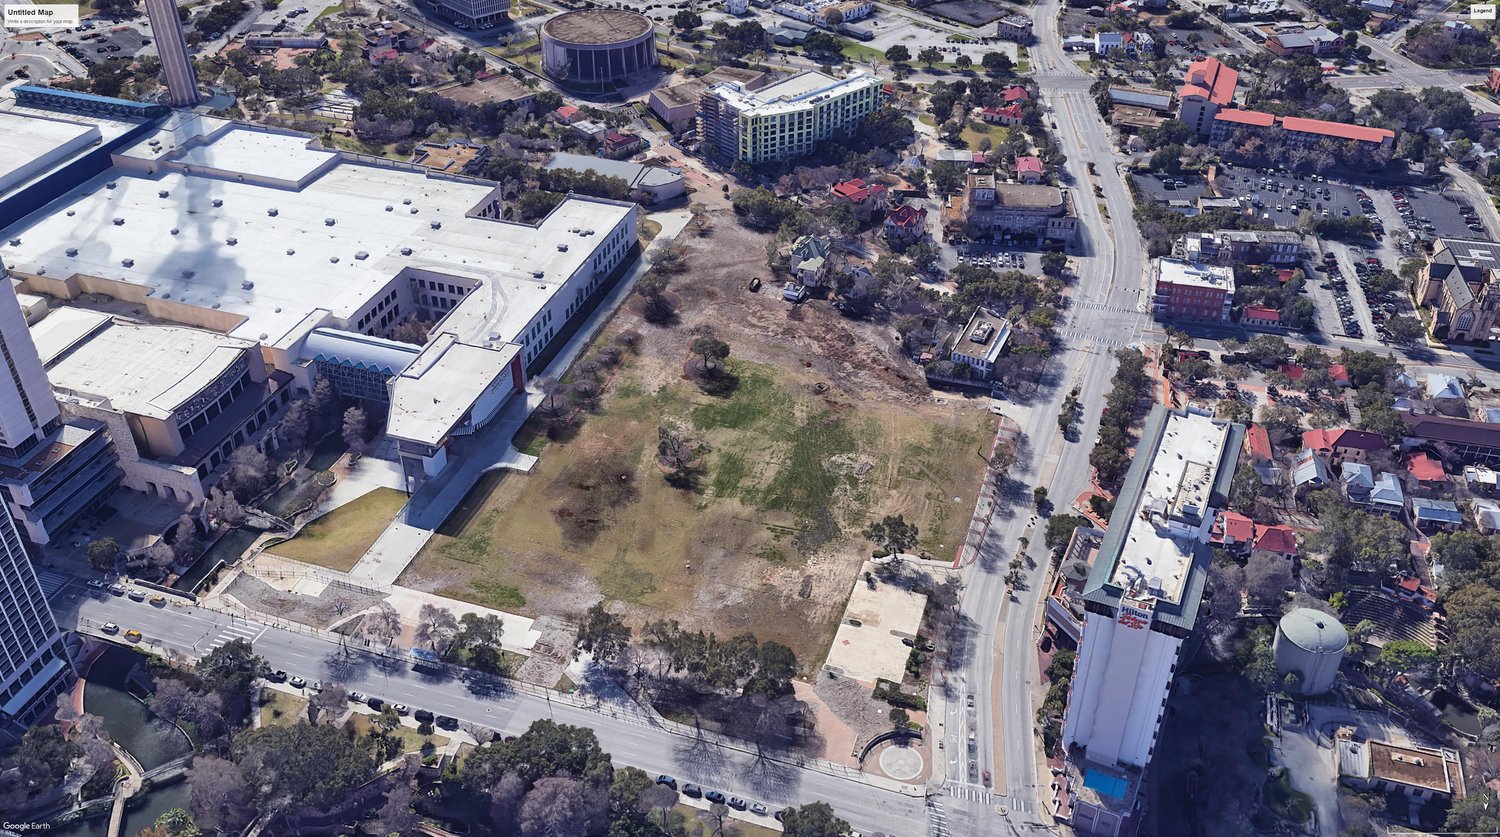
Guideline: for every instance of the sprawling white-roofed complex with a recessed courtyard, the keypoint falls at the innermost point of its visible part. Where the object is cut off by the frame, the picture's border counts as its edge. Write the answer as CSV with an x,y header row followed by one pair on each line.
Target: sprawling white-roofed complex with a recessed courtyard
x,y
248,262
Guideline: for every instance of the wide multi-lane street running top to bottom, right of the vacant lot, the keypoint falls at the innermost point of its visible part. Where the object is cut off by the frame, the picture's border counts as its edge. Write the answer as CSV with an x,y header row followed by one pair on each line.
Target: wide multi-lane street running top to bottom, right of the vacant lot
x,y
1106,314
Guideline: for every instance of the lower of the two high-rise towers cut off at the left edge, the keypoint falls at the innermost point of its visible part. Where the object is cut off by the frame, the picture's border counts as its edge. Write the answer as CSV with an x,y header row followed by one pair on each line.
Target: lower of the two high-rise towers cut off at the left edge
x,y
34,661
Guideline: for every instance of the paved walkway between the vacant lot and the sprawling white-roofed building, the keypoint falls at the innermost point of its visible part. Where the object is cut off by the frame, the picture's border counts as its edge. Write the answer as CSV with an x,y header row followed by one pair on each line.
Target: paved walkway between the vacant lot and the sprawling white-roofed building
x,y
490,449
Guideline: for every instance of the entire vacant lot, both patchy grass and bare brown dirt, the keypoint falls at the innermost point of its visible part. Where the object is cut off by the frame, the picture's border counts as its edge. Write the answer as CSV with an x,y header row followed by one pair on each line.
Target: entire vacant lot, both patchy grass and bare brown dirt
x,y
827,430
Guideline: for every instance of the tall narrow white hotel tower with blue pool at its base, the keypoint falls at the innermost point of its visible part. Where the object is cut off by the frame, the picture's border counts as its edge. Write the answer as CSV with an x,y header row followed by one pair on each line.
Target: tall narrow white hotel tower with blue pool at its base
x,y
1142,601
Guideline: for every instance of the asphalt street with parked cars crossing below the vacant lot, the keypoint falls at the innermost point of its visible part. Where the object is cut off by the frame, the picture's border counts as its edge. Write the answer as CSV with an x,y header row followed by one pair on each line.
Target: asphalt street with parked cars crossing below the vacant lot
x,y
622,728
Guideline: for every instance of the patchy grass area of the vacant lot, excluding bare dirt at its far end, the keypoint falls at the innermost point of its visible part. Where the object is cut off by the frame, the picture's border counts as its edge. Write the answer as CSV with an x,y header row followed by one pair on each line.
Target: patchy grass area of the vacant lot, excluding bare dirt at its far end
x,y
772,529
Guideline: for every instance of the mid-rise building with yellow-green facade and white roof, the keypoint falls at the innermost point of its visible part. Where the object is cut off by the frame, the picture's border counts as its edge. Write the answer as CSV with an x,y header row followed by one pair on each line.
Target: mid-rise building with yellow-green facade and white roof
x,y
784,121
